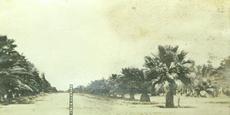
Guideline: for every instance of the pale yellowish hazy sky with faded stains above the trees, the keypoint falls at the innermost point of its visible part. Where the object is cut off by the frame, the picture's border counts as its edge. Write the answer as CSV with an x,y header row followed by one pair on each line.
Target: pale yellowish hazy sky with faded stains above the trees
x,y
76,41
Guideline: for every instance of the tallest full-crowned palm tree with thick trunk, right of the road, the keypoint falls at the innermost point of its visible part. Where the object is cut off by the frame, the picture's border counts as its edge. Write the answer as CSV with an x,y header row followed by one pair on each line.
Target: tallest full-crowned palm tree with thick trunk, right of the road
x,y
167,67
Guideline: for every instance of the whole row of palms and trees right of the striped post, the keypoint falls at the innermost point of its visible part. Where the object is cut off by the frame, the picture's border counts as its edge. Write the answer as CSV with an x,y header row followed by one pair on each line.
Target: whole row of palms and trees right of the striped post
x,y
167,73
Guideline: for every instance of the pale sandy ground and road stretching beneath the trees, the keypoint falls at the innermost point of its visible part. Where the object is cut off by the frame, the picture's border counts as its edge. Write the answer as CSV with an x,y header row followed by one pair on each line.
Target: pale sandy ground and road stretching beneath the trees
x,y
57,104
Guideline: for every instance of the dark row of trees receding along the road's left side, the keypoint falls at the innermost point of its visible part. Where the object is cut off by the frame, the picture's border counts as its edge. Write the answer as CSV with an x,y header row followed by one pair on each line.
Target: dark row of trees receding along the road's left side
x,y
18,76
